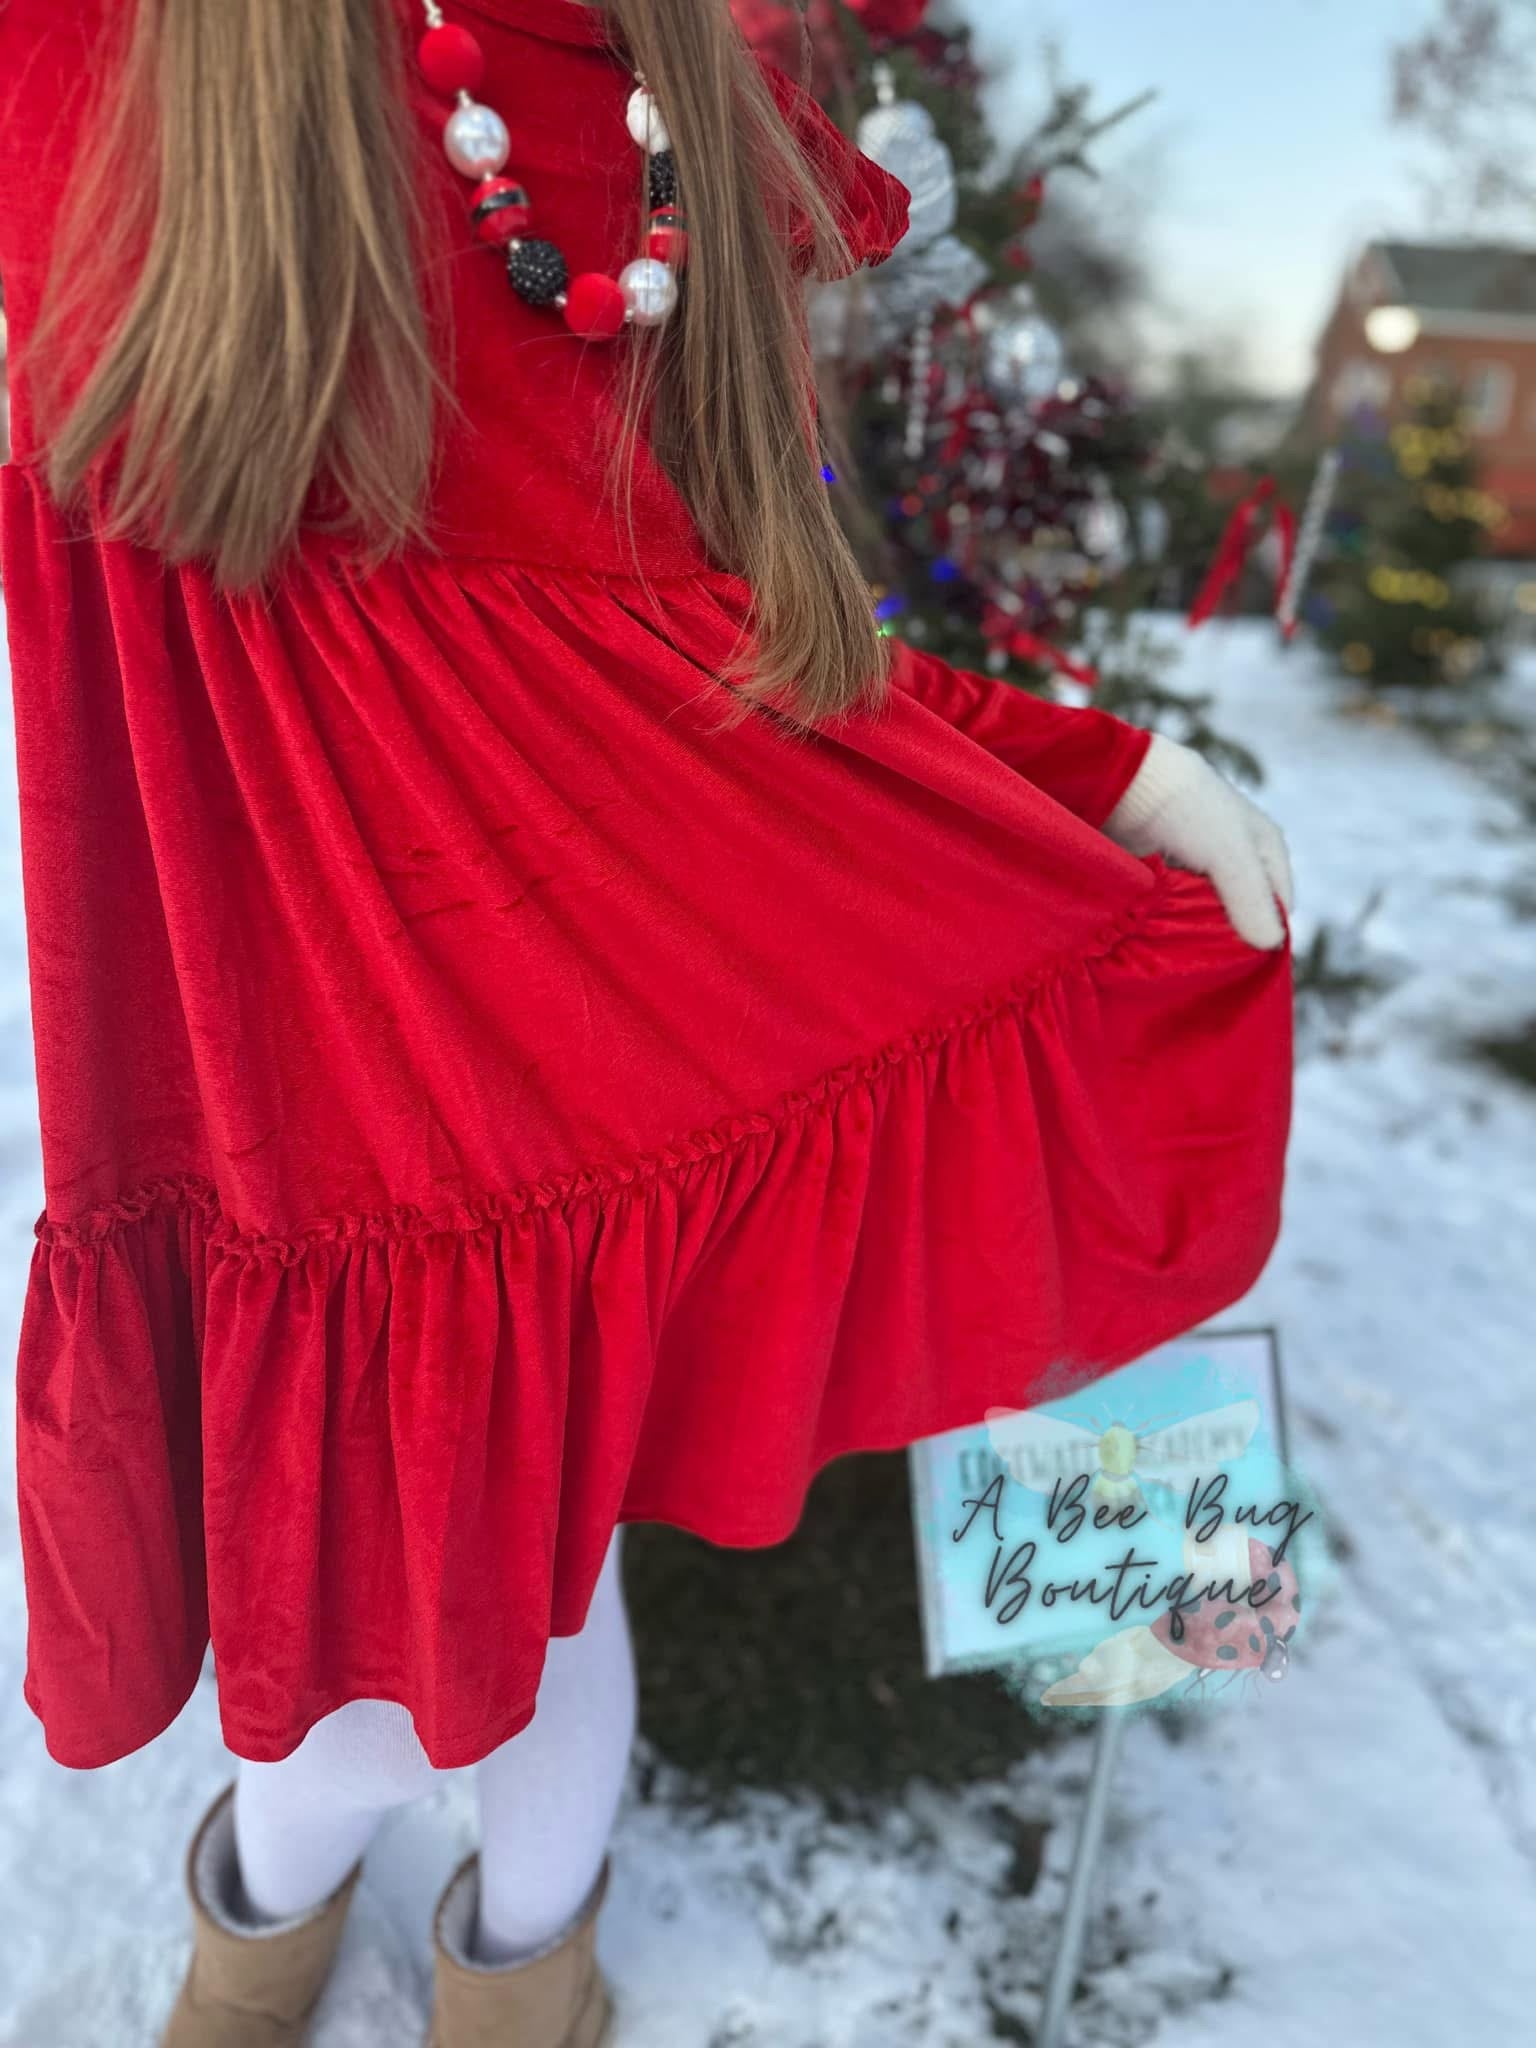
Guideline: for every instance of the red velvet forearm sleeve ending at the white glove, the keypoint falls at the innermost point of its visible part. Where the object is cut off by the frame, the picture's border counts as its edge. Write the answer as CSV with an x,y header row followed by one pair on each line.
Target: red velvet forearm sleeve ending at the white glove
x,y
1080,759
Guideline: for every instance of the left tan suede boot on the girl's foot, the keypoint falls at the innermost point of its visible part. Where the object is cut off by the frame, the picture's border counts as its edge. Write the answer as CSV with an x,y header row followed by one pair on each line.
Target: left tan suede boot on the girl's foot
x,y
251,1986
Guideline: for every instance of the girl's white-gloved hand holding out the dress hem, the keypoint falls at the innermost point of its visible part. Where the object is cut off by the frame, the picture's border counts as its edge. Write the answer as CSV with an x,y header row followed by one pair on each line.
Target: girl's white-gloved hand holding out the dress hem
x,y
1183,810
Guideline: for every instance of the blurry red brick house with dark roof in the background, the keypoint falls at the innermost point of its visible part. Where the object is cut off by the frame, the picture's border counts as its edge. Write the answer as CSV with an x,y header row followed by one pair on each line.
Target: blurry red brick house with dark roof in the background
x,y
1463,310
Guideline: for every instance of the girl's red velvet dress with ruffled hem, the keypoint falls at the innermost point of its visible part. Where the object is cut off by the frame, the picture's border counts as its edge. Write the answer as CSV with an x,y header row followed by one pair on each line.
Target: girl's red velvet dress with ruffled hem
x,y
480,1099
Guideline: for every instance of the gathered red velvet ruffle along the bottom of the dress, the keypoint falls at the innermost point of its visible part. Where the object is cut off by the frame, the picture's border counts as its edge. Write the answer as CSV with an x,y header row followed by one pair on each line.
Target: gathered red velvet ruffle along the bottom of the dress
x,y
333,1453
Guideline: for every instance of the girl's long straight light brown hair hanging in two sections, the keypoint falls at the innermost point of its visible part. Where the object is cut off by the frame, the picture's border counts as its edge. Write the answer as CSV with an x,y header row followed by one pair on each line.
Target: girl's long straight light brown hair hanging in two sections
x,y
255,204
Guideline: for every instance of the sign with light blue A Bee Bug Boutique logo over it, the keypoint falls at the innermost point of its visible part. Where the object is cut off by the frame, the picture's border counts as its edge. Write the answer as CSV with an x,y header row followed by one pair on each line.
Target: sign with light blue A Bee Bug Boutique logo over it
x,y
1127,1545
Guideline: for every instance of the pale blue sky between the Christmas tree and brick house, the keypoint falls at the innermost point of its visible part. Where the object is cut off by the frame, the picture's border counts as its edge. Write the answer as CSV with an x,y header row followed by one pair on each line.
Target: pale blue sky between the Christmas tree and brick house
x,y
1265,163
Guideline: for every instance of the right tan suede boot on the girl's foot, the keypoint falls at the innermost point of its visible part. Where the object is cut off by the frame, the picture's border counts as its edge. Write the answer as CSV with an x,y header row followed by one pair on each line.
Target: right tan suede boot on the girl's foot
x,y
554,2000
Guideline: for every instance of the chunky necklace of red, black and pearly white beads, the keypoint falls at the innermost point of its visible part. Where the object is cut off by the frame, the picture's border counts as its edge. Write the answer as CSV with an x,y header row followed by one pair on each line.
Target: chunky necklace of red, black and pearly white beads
x,y
478,144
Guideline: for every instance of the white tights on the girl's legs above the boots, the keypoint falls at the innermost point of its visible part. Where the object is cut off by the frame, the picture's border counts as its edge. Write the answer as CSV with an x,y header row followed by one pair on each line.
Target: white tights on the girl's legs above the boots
x,y
548,1799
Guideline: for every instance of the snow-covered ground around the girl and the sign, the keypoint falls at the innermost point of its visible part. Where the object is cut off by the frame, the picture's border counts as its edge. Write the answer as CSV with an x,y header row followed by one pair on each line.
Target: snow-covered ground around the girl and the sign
x,y
1347,1861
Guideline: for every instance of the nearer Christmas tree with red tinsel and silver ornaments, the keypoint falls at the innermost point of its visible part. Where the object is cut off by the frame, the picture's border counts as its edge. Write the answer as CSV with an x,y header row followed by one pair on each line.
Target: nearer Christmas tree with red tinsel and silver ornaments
x,y
1015,505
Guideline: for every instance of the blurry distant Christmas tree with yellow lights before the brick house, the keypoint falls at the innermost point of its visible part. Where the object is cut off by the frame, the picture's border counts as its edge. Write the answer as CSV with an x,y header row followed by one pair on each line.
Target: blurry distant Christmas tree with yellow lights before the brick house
x,y
1394,603
